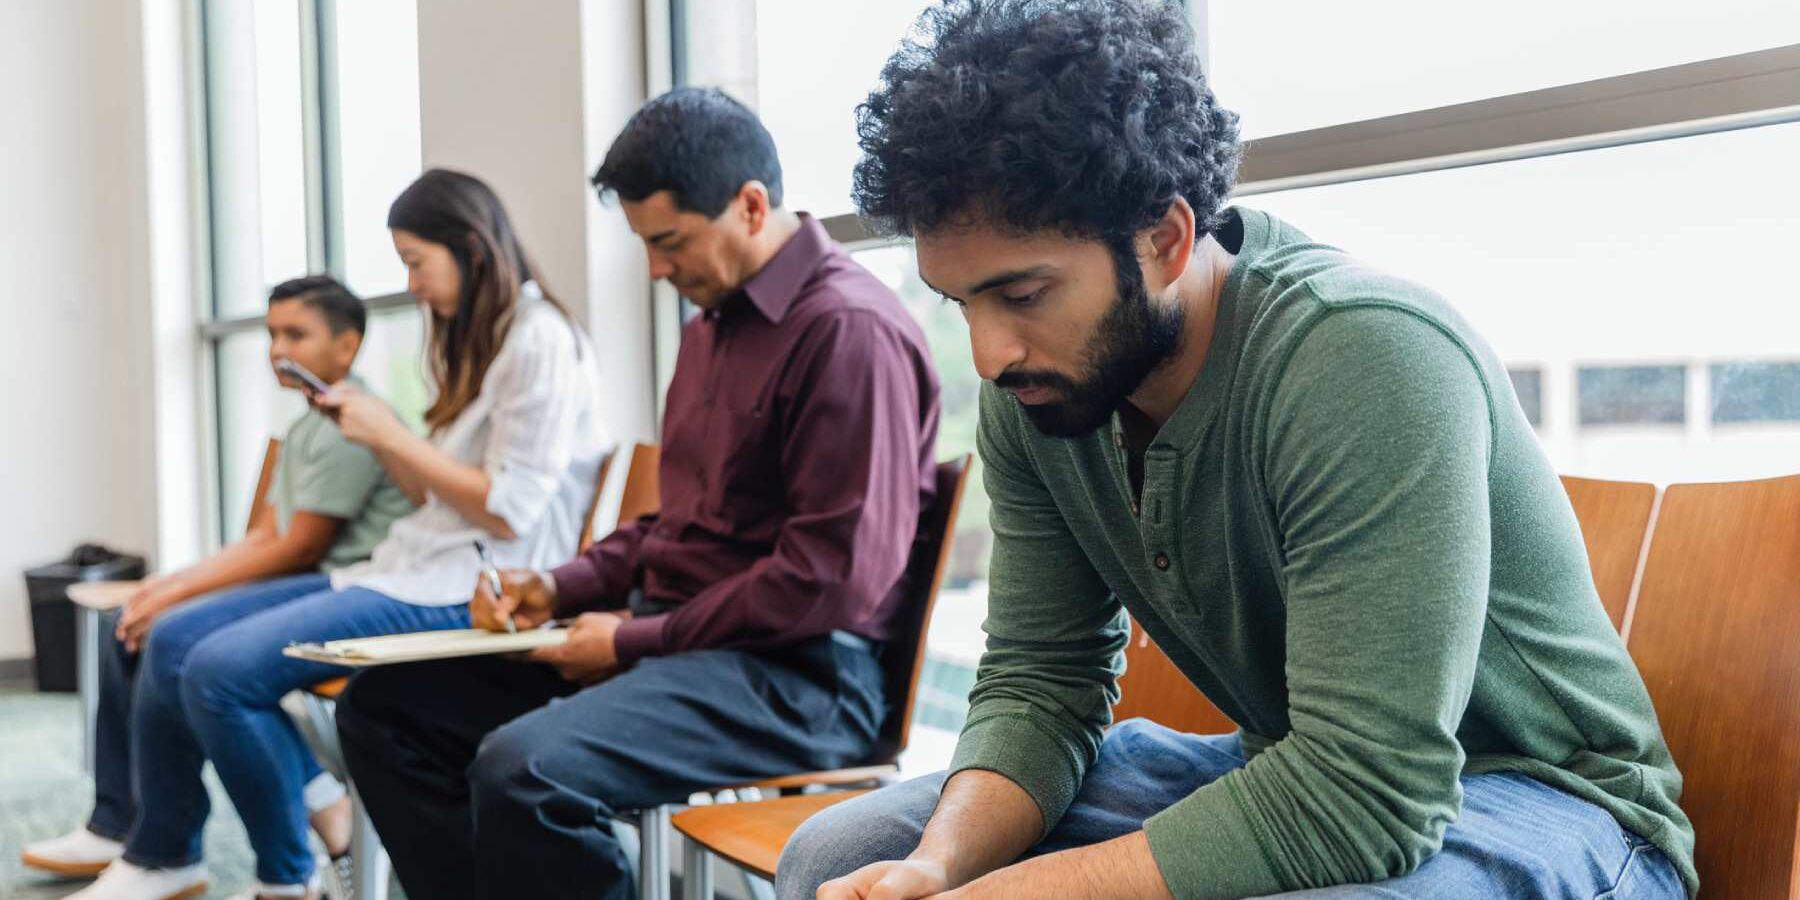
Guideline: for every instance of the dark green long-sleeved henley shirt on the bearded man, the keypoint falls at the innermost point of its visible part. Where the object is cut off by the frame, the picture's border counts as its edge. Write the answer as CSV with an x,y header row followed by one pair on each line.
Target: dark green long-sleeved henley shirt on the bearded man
x,y
1351,541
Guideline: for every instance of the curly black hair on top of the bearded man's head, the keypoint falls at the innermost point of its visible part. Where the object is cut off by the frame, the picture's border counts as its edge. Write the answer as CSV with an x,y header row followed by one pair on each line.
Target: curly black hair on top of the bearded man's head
x,y
1088,118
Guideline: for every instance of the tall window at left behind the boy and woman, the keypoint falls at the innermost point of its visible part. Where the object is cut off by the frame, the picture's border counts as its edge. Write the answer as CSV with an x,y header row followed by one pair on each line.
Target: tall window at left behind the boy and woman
x,y
312,129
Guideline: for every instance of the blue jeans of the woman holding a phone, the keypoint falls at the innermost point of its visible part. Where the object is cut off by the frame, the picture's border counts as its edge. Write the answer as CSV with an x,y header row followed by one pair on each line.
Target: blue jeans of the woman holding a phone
x,y
210,688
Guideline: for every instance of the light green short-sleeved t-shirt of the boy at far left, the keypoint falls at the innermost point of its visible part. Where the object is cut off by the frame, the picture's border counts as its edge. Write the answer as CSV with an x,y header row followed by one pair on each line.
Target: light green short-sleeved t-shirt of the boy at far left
x,y
325,474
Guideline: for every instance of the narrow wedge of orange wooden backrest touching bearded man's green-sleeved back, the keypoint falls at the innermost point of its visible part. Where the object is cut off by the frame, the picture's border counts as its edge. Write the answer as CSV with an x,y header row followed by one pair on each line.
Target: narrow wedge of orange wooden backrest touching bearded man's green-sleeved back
x,y
1615,519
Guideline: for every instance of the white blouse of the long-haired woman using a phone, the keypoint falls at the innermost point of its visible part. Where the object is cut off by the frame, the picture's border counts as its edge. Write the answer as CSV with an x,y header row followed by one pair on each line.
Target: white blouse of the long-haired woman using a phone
x,y
535,427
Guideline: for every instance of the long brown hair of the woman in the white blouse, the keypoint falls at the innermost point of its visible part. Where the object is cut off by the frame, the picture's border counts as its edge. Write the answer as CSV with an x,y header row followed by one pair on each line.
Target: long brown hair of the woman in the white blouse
x,y
465,217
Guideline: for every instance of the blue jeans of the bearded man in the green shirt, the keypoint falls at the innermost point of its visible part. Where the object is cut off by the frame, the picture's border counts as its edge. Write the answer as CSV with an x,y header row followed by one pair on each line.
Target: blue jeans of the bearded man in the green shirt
x,y
1515,838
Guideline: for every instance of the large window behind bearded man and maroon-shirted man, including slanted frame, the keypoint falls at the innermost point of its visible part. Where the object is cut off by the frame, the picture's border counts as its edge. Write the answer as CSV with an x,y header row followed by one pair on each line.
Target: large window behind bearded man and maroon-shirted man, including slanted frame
x,y
1612,235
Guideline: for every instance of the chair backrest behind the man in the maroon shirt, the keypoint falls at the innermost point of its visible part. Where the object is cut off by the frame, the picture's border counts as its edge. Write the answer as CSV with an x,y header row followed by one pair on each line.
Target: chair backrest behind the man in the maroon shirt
x,y
904,654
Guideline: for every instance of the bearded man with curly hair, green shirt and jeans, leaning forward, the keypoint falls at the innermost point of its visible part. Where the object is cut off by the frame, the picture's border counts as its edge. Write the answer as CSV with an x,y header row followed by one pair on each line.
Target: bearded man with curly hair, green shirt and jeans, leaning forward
x,y
1308,480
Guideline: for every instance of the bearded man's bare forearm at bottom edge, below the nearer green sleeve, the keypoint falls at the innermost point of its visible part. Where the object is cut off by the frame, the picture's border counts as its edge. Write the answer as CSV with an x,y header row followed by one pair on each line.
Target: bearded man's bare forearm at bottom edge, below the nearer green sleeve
x,y
1113,870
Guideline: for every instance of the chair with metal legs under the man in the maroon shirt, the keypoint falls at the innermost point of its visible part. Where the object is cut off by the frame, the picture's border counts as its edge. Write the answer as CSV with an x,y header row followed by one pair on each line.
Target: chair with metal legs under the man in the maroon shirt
x,y
903,665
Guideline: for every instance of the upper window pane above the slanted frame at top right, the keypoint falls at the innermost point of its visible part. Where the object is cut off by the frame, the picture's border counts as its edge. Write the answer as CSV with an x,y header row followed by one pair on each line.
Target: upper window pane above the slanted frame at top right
x,y
1290,67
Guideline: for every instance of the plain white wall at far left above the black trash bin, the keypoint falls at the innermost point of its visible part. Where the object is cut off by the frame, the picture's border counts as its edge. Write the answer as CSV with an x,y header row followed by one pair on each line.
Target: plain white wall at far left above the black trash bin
x,y
76,377
